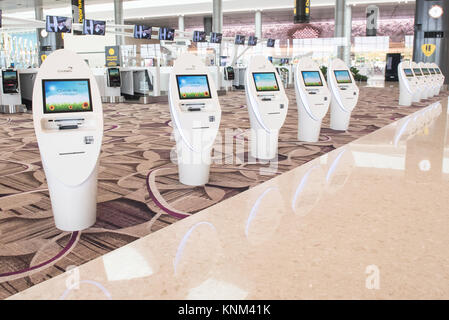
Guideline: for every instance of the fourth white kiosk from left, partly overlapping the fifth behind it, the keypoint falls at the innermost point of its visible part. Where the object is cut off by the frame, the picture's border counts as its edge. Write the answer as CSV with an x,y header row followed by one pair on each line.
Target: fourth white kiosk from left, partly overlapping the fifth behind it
x,y
313,99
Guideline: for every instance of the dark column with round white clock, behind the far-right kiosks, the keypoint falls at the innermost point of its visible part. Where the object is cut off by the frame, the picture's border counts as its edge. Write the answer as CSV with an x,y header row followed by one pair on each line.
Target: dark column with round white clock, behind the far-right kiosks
x,y
429,30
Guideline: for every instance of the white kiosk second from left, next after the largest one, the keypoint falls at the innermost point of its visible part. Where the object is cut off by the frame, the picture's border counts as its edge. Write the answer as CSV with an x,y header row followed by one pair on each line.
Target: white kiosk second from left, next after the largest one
x,y
196,115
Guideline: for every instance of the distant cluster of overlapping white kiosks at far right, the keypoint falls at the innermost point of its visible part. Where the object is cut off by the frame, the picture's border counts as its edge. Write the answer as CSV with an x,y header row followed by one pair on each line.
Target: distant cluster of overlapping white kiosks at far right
x,y
418,81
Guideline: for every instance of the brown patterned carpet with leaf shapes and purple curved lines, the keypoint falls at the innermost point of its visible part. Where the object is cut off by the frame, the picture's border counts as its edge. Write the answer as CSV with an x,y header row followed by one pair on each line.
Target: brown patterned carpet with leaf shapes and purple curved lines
x,y
138,188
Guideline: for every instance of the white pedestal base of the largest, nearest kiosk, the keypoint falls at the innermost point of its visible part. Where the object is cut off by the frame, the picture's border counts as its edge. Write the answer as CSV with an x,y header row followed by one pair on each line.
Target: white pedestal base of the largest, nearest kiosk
x,y
74,208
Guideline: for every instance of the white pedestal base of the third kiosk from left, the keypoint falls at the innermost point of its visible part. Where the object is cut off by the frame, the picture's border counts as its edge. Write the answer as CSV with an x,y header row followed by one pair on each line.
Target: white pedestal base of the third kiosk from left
x,y
264,145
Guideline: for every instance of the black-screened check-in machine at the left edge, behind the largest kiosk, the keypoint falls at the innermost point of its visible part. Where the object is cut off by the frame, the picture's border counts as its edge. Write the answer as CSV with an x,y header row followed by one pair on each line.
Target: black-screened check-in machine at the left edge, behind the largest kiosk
x,y
10,97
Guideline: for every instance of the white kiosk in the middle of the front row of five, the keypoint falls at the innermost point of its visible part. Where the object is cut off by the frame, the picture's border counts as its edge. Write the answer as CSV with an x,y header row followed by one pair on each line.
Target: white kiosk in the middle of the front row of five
x,y
267,107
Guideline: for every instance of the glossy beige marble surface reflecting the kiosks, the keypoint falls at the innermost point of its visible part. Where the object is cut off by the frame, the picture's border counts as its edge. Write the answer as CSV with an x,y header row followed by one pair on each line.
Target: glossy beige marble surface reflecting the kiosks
x,y
369,220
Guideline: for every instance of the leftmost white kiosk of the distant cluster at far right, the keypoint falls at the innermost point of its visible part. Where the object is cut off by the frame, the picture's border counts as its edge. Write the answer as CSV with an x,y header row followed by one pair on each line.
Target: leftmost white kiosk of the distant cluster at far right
x,y
408,84
